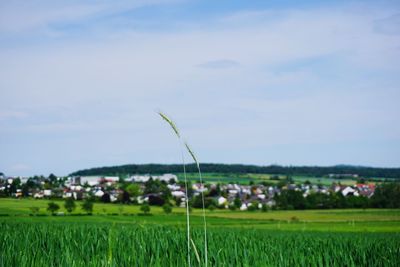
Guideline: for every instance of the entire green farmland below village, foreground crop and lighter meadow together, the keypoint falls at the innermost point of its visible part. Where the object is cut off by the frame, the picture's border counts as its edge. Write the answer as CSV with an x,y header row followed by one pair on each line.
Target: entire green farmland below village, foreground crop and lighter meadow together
x,y
123,237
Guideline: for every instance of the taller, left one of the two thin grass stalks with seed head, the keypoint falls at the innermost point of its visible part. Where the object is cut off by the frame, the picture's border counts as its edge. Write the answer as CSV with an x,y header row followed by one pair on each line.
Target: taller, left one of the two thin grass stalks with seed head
x,y
175,129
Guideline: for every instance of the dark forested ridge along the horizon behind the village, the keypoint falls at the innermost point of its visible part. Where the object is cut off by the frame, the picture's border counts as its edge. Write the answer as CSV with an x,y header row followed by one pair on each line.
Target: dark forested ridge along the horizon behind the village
x,y
315,171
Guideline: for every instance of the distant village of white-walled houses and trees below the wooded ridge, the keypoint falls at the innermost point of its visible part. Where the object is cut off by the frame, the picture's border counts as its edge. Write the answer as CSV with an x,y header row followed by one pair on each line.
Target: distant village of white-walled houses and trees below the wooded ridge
x,y
158,189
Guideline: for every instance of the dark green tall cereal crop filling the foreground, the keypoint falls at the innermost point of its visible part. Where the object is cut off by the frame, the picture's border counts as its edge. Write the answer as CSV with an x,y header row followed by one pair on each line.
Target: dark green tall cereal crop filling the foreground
x,y
83,244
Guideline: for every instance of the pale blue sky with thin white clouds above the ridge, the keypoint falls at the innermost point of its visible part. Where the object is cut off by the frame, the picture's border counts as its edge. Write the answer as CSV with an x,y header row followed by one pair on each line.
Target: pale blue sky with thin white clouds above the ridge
x,y
252,82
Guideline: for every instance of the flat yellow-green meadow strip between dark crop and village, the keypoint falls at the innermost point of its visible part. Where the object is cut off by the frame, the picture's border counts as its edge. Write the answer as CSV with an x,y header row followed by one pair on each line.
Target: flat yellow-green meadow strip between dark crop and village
x,y
369,220
